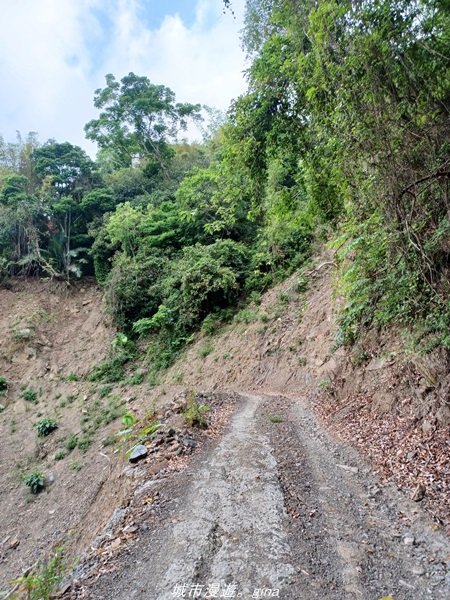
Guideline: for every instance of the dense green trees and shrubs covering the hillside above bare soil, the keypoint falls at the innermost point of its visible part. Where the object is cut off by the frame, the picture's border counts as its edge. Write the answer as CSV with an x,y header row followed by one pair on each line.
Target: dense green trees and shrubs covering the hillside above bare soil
x,y
343,135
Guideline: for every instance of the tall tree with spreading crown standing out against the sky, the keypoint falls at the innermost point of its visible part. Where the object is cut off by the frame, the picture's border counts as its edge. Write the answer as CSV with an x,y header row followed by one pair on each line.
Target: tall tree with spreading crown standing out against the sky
x,y
138,120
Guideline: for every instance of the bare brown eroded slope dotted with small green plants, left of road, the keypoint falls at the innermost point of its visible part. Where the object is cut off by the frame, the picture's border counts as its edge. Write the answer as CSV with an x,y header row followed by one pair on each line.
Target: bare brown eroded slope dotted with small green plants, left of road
x,y
50,337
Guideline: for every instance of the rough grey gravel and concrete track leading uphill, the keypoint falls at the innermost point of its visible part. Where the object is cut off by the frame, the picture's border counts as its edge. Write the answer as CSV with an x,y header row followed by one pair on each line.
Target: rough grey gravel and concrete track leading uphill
x,y
276,508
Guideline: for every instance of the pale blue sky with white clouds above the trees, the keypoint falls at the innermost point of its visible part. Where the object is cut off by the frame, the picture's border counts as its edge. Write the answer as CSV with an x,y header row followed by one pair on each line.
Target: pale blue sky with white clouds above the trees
x,y
55,53
